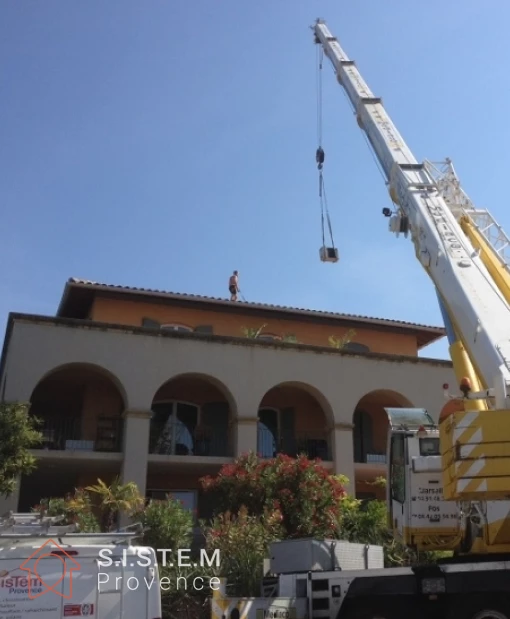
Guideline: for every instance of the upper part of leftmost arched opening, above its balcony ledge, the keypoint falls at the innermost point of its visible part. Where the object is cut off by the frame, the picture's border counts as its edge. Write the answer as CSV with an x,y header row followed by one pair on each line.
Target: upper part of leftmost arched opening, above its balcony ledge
x,y
81,408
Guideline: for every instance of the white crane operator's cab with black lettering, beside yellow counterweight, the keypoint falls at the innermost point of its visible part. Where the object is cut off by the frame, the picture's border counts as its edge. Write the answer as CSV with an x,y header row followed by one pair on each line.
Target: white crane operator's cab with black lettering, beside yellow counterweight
x,y
418,514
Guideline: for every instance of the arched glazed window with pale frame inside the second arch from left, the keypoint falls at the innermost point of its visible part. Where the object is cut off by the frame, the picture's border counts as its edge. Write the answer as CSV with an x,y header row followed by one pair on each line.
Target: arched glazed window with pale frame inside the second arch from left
x,y
172,426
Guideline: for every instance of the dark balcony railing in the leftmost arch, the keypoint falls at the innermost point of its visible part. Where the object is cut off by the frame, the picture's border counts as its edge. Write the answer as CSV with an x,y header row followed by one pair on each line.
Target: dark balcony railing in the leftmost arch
x,y
67,435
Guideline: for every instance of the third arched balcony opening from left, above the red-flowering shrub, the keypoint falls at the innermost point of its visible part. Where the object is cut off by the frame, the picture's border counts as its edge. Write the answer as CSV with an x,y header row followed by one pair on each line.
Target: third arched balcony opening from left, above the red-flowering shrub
x,y
293,419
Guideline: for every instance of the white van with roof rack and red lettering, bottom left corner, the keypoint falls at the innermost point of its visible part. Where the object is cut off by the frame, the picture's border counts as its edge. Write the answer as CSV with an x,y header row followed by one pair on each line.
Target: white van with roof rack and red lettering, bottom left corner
x,y
52,572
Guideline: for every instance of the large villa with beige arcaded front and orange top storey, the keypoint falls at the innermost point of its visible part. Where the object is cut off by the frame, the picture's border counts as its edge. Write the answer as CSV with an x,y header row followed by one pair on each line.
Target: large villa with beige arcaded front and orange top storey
x,y
162,388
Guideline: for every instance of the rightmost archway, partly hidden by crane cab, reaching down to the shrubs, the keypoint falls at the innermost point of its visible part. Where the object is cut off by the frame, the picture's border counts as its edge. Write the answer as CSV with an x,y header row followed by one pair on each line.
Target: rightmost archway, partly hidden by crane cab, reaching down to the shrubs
x,y
370,434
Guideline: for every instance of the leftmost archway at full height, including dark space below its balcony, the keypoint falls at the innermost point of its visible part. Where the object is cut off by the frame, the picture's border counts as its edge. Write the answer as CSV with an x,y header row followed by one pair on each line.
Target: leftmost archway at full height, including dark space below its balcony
x,y
80,407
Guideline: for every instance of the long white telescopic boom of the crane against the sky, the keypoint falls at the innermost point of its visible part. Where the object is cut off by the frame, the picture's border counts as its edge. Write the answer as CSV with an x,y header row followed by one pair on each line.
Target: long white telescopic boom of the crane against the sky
x,y
478,310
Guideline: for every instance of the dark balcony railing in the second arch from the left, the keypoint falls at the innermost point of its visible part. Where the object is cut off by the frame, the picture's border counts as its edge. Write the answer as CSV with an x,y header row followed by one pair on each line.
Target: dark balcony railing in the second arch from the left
x,y
178,439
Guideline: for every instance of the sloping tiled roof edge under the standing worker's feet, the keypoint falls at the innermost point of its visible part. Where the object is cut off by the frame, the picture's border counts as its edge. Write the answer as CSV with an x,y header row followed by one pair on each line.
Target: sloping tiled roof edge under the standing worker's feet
x,y
261,306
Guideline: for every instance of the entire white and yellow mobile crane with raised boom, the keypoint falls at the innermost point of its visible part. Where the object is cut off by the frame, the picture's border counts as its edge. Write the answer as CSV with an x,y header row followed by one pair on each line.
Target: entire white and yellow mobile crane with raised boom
x,y
448,482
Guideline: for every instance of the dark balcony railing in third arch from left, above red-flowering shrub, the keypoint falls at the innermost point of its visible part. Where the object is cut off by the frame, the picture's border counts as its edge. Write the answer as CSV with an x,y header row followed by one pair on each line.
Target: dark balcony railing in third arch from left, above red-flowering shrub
x,y
311,445
